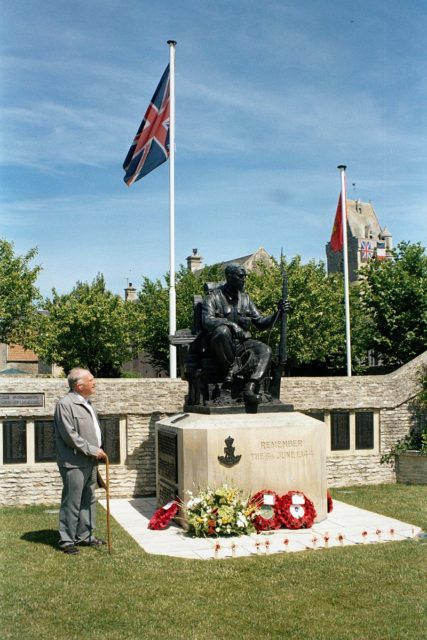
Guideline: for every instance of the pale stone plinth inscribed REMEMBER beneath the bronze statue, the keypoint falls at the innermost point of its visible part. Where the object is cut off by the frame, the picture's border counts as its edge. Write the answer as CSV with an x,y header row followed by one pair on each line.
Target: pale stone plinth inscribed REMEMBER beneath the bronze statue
x,y
278,451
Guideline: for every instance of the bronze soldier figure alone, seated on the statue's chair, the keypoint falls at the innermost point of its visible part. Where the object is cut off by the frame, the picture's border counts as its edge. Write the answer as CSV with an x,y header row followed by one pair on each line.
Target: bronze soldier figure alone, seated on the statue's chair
x,y
227,315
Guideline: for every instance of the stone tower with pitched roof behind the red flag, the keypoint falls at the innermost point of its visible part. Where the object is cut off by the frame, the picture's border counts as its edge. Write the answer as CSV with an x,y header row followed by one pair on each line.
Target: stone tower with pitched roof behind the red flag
x,y
366,240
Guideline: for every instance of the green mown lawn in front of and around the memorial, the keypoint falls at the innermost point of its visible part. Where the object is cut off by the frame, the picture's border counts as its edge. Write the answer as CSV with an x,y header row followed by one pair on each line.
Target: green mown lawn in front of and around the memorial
x,y
355,593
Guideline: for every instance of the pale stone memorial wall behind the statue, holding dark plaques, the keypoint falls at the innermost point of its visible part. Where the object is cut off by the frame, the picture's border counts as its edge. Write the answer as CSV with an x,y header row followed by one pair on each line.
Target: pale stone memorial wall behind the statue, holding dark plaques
x,y
141,402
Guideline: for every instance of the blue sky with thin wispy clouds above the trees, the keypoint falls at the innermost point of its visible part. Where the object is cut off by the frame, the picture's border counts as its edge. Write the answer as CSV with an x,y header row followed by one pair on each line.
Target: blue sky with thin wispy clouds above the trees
x,y
271,97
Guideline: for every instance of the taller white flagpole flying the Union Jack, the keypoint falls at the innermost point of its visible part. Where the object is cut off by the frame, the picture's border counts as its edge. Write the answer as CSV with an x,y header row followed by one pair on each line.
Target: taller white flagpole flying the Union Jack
x,y
172,293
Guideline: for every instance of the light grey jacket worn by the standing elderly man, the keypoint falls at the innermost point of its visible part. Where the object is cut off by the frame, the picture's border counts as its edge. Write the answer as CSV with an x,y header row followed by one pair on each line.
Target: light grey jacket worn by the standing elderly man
x,y
75,435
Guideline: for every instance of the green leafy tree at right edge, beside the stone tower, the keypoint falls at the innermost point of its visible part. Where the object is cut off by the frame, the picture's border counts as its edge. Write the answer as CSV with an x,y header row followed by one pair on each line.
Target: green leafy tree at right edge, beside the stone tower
x,y
393,297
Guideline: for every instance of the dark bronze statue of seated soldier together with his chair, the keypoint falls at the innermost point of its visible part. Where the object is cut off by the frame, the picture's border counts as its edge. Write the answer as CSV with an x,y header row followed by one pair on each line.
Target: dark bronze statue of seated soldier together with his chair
x,y
225,364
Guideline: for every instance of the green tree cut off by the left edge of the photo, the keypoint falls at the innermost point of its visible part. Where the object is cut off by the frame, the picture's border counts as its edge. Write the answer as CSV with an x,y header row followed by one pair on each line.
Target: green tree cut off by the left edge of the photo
x,y
19,296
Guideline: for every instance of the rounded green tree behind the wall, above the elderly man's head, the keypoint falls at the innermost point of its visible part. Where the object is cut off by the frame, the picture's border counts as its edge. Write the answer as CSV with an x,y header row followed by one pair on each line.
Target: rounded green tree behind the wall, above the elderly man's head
x,y
90,327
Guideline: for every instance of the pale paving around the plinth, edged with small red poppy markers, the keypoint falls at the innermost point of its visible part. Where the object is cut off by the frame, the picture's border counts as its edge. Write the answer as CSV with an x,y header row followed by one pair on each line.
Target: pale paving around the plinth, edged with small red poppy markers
x,y
345,525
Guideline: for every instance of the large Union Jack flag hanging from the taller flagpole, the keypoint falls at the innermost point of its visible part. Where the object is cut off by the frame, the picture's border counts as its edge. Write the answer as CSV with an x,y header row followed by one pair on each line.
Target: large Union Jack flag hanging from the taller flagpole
x,y
150,147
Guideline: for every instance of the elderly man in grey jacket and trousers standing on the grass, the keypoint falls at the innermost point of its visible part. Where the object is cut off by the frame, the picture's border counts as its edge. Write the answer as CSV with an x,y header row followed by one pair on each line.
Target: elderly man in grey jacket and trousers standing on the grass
x,y
78,448
